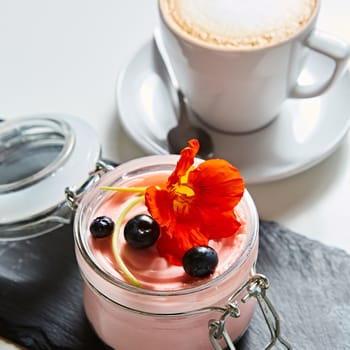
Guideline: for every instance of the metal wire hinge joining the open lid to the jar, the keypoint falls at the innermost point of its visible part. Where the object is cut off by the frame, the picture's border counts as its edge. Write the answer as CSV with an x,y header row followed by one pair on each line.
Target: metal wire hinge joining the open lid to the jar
x,y
73,195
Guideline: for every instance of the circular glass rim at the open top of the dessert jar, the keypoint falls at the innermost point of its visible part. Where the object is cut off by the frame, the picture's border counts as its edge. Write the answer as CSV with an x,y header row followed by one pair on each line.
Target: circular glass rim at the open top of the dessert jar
x,y
121,171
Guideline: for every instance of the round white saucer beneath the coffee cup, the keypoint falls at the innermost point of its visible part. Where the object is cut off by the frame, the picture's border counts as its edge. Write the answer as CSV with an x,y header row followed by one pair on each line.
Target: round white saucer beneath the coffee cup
x,y
305,132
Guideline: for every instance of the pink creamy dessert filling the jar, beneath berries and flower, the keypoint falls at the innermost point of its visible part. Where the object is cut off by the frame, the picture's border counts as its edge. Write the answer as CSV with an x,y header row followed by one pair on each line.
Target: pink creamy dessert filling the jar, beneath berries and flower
x,y
169,309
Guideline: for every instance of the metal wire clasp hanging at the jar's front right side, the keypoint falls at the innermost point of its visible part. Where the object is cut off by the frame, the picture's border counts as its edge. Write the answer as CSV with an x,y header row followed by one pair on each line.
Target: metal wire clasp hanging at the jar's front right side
x,y
256,287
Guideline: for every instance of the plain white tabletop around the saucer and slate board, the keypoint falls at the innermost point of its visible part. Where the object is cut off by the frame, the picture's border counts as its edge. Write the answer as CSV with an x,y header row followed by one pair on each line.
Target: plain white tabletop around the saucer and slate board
x,y
64,56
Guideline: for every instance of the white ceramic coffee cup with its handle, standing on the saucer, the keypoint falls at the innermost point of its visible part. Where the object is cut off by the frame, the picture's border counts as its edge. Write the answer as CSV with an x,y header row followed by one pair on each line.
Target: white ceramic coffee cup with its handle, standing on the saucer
x,y
242,89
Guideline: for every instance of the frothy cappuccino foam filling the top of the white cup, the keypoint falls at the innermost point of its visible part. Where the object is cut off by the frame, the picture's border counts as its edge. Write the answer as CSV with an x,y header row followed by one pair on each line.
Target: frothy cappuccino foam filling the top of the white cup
x,y
238,23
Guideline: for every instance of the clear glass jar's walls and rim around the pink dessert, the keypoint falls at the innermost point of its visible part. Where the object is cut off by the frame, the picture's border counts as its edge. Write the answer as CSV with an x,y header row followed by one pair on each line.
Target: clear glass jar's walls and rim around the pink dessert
x,y
127,317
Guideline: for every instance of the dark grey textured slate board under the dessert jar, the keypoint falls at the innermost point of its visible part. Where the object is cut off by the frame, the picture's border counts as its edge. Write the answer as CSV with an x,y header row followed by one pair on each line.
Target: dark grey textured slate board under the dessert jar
x,y
41,306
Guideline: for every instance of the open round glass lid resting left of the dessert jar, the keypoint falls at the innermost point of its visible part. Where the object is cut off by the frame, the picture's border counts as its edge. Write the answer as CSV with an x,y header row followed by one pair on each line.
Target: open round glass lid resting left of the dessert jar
x,y
40,155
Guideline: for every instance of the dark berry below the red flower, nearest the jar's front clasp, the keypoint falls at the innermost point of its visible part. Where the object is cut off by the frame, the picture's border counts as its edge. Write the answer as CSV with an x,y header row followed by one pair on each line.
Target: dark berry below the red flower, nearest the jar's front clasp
x,y
200,261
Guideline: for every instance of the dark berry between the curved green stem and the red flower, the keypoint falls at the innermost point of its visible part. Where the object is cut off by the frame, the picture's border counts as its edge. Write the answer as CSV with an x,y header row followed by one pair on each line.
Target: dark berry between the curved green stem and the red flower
x,y
142,231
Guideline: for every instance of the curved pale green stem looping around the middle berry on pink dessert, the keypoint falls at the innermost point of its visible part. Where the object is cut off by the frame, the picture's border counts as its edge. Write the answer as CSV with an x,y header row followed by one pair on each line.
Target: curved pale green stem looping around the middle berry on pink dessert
x,y
127,274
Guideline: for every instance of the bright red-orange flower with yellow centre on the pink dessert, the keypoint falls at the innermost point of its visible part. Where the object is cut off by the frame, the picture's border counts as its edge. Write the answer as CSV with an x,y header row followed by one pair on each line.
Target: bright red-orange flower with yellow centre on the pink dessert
x,y
196,204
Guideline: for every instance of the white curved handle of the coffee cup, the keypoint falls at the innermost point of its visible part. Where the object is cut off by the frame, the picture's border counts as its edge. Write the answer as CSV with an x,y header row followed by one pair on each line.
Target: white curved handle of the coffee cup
x,y
331,47
